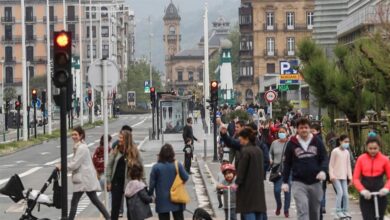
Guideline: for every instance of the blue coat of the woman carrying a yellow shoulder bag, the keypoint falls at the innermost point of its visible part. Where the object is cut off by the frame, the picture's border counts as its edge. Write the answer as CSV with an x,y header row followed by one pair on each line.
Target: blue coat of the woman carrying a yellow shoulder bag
x,y
161,180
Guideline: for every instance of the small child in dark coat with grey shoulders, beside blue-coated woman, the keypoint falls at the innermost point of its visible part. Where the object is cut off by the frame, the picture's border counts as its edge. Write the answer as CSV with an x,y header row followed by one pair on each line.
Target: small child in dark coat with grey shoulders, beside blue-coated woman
x,y
137,196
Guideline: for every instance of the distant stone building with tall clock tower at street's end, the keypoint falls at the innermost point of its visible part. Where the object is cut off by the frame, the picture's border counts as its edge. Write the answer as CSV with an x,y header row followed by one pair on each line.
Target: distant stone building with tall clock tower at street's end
x,y
184,68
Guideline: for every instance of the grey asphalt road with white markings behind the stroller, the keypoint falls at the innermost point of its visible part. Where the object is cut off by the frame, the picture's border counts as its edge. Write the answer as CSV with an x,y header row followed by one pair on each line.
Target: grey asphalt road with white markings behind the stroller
x,y
35,164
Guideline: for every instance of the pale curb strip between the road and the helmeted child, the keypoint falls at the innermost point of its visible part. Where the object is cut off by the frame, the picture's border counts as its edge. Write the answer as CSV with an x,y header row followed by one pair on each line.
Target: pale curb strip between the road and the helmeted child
x,y
209,186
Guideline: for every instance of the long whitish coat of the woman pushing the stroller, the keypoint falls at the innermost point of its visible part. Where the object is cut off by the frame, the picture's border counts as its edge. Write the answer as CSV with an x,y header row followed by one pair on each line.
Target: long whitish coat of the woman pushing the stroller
x,y
84,176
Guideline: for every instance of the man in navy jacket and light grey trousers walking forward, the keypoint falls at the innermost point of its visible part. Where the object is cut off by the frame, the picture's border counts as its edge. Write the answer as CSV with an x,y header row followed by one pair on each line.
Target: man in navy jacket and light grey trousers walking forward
x,y
307,160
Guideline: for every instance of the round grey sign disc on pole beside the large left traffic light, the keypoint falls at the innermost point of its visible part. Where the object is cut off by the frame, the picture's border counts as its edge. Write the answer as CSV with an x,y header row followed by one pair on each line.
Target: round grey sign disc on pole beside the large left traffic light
x,y
95,75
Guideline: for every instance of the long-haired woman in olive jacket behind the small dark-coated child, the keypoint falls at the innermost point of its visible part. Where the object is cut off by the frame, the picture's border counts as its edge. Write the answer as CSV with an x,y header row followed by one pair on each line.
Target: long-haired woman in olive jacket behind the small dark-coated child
x,y
120,162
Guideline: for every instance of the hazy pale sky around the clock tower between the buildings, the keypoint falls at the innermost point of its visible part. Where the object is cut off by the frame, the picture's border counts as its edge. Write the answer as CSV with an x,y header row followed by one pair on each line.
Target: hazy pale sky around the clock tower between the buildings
x,y
191,12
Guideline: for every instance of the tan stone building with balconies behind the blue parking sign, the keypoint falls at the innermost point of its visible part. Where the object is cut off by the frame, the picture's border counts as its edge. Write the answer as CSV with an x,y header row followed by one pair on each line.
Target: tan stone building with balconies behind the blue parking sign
x,y
270,31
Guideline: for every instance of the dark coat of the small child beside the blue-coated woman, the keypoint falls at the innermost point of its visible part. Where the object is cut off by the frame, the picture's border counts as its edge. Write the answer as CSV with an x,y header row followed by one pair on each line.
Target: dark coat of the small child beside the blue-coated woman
x,y
138,205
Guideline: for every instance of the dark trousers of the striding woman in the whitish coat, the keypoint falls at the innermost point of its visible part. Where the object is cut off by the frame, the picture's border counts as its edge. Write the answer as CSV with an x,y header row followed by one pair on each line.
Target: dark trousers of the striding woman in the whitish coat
x,y
94,199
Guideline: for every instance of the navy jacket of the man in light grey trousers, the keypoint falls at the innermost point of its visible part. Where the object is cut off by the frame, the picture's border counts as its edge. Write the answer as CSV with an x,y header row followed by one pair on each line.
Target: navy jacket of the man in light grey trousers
x,y
305,165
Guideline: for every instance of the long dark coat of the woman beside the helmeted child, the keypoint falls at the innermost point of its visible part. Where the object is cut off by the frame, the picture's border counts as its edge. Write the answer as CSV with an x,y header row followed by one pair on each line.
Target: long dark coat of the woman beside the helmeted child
x,y
250,181
